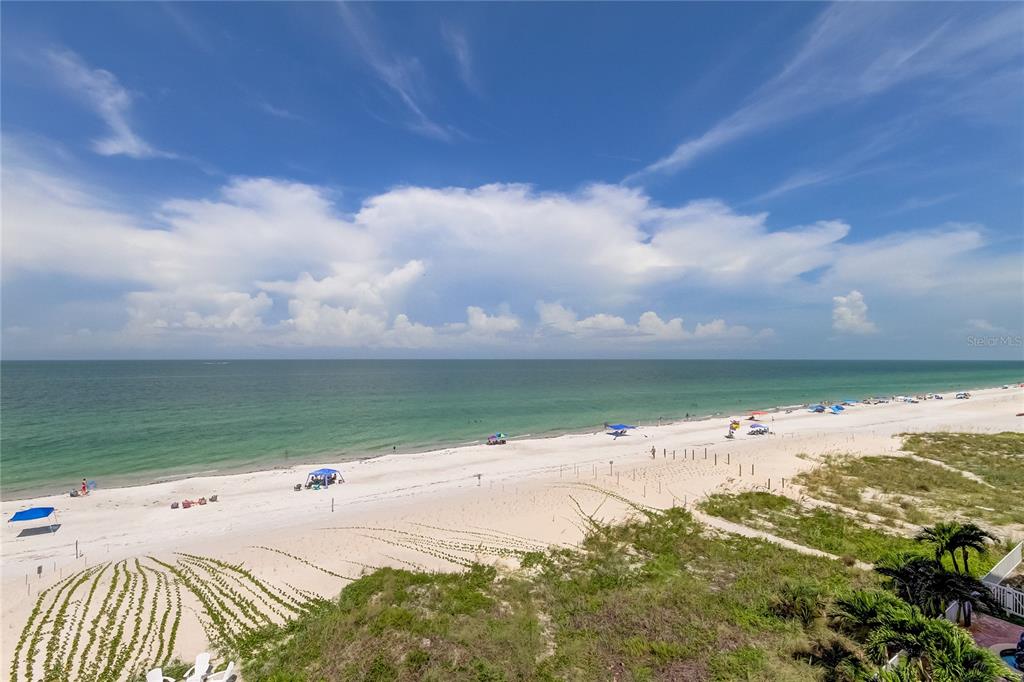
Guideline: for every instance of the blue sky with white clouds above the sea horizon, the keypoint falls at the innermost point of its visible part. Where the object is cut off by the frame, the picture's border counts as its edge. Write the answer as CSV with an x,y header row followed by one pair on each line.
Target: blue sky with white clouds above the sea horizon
x,y
513,181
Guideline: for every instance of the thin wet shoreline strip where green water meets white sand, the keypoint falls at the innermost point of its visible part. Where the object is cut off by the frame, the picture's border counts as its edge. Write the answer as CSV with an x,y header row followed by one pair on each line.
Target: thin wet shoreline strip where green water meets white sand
x,y
336,457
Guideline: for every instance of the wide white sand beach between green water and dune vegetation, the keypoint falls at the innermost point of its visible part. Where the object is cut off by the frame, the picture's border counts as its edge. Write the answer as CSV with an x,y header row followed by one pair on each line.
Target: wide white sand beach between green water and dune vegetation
x,y
424,509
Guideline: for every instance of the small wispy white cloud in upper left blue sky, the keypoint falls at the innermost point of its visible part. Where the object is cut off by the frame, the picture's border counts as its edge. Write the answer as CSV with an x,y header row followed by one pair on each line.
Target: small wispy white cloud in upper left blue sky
x,y
102,92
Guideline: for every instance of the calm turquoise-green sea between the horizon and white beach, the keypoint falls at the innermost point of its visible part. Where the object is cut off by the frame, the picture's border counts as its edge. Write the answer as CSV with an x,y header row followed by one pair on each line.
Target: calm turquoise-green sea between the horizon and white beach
x,y
122,422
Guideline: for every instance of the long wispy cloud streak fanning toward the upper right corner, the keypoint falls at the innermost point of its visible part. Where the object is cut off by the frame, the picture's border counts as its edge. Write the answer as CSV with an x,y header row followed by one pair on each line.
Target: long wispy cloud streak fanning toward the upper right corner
x,y
859,51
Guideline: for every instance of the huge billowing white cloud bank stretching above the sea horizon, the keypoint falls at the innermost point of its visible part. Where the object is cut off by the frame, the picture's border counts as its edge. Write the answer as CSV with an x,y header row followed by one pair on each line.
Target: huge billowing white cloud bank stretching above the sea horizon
x,y
272,262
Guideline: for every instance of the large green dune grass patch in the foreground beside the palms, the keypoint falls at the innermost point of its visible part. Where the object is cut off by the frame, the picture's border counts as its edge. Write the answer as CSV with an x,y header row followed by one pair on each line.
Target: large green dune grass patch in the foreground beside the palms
x,y
658,598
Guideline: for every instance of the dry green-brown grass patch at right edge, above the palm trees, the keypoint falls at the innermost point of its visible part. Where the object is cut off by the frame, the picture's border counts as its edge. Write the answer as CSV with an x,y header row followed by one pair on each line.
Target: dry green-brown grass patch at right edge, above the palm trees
x,y
924,493
